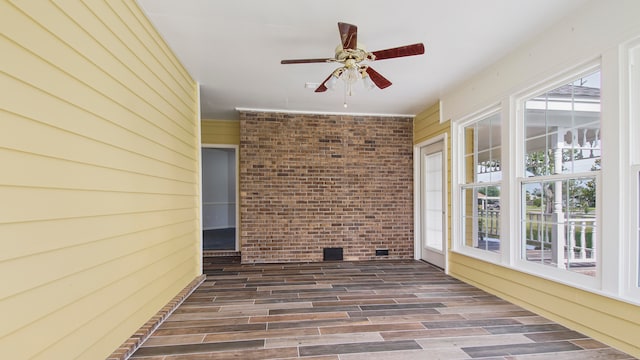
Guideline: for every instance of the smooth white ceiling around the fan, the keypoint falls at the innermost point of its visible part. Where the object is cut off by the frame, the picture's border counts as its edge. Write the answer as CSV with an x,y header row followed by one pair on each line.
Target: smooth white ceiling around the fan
x,y
233,48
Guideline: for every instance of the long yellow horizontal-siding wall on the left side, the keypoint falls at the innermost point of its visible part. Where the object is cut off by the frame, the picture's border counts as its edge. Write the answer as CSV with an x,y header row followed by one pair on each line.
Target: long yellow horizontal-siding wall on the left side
x,y
98,186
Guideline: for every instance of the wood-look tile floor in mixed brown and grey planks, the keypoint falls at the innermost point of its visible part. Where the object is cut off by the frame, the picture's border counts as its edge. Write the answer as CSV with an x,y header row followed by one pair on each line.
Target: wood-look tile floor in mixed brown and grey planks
x,y
356,311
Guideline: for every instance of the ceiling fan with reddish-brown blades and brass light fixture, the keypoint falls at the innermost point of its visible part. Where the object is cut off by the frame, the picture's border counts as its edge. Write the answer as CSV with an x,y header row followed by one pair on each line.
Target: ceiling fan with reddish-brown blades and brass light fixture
x,y
351,55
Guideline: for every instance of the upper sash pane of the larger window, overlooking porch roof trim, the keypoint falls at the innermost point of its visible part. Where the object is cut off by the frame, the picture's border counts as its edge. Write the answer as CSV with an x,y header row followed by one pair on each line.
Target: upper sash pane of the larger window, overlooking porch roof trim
x,y
562,129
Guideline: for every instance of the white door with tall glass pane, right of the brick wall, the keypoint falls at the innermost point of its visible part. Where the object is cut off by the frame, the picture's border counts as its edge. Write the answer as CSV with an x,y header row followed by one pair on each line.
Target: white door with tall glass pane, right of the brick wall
x,y
432,204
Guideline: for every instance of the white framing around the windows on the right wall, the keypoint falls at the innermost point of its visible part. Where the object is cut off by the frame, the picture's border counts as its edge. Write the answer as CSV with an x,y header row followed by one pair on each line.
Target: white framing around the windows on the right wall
x,y
618,214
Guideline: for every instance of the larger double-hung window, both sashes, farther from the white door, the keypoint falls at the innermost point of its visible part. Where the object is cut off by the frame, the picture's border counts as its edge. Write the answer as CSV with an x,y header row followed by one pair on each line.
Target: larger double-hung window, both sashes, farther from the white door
x,y
559,179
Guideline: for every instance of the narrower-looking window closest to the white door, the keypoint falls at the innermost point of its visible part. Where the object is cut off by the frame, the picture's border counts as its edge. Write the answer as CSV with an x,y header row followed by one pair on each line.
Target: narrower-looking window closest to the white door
x,y
480,191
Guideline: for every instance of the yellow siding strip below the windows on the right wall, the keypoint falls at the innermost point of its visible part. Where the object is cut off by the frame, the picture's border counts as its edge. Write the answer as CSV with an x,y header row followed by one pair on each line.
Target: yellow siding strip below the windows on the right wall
x,y
611,321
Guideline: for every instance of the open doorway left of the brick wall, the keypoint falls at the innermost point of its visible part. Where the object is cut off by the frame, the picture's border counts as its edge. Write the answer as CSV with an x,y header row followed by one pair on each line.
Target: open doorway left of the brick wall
x,y
219,198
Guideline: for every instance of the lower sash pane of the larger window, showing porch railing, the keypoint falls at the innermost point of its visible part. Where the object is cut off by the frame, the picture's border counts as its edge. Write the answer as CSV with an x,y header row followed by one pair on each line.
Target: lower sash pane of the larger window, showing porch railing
x,y
559,224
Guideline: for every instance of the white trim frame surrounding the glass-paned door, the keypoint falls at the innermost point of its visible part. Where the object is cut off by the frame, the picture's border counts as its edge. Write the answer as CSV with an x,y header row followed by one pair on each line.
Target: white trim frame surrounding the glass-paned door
x,y
417,243
